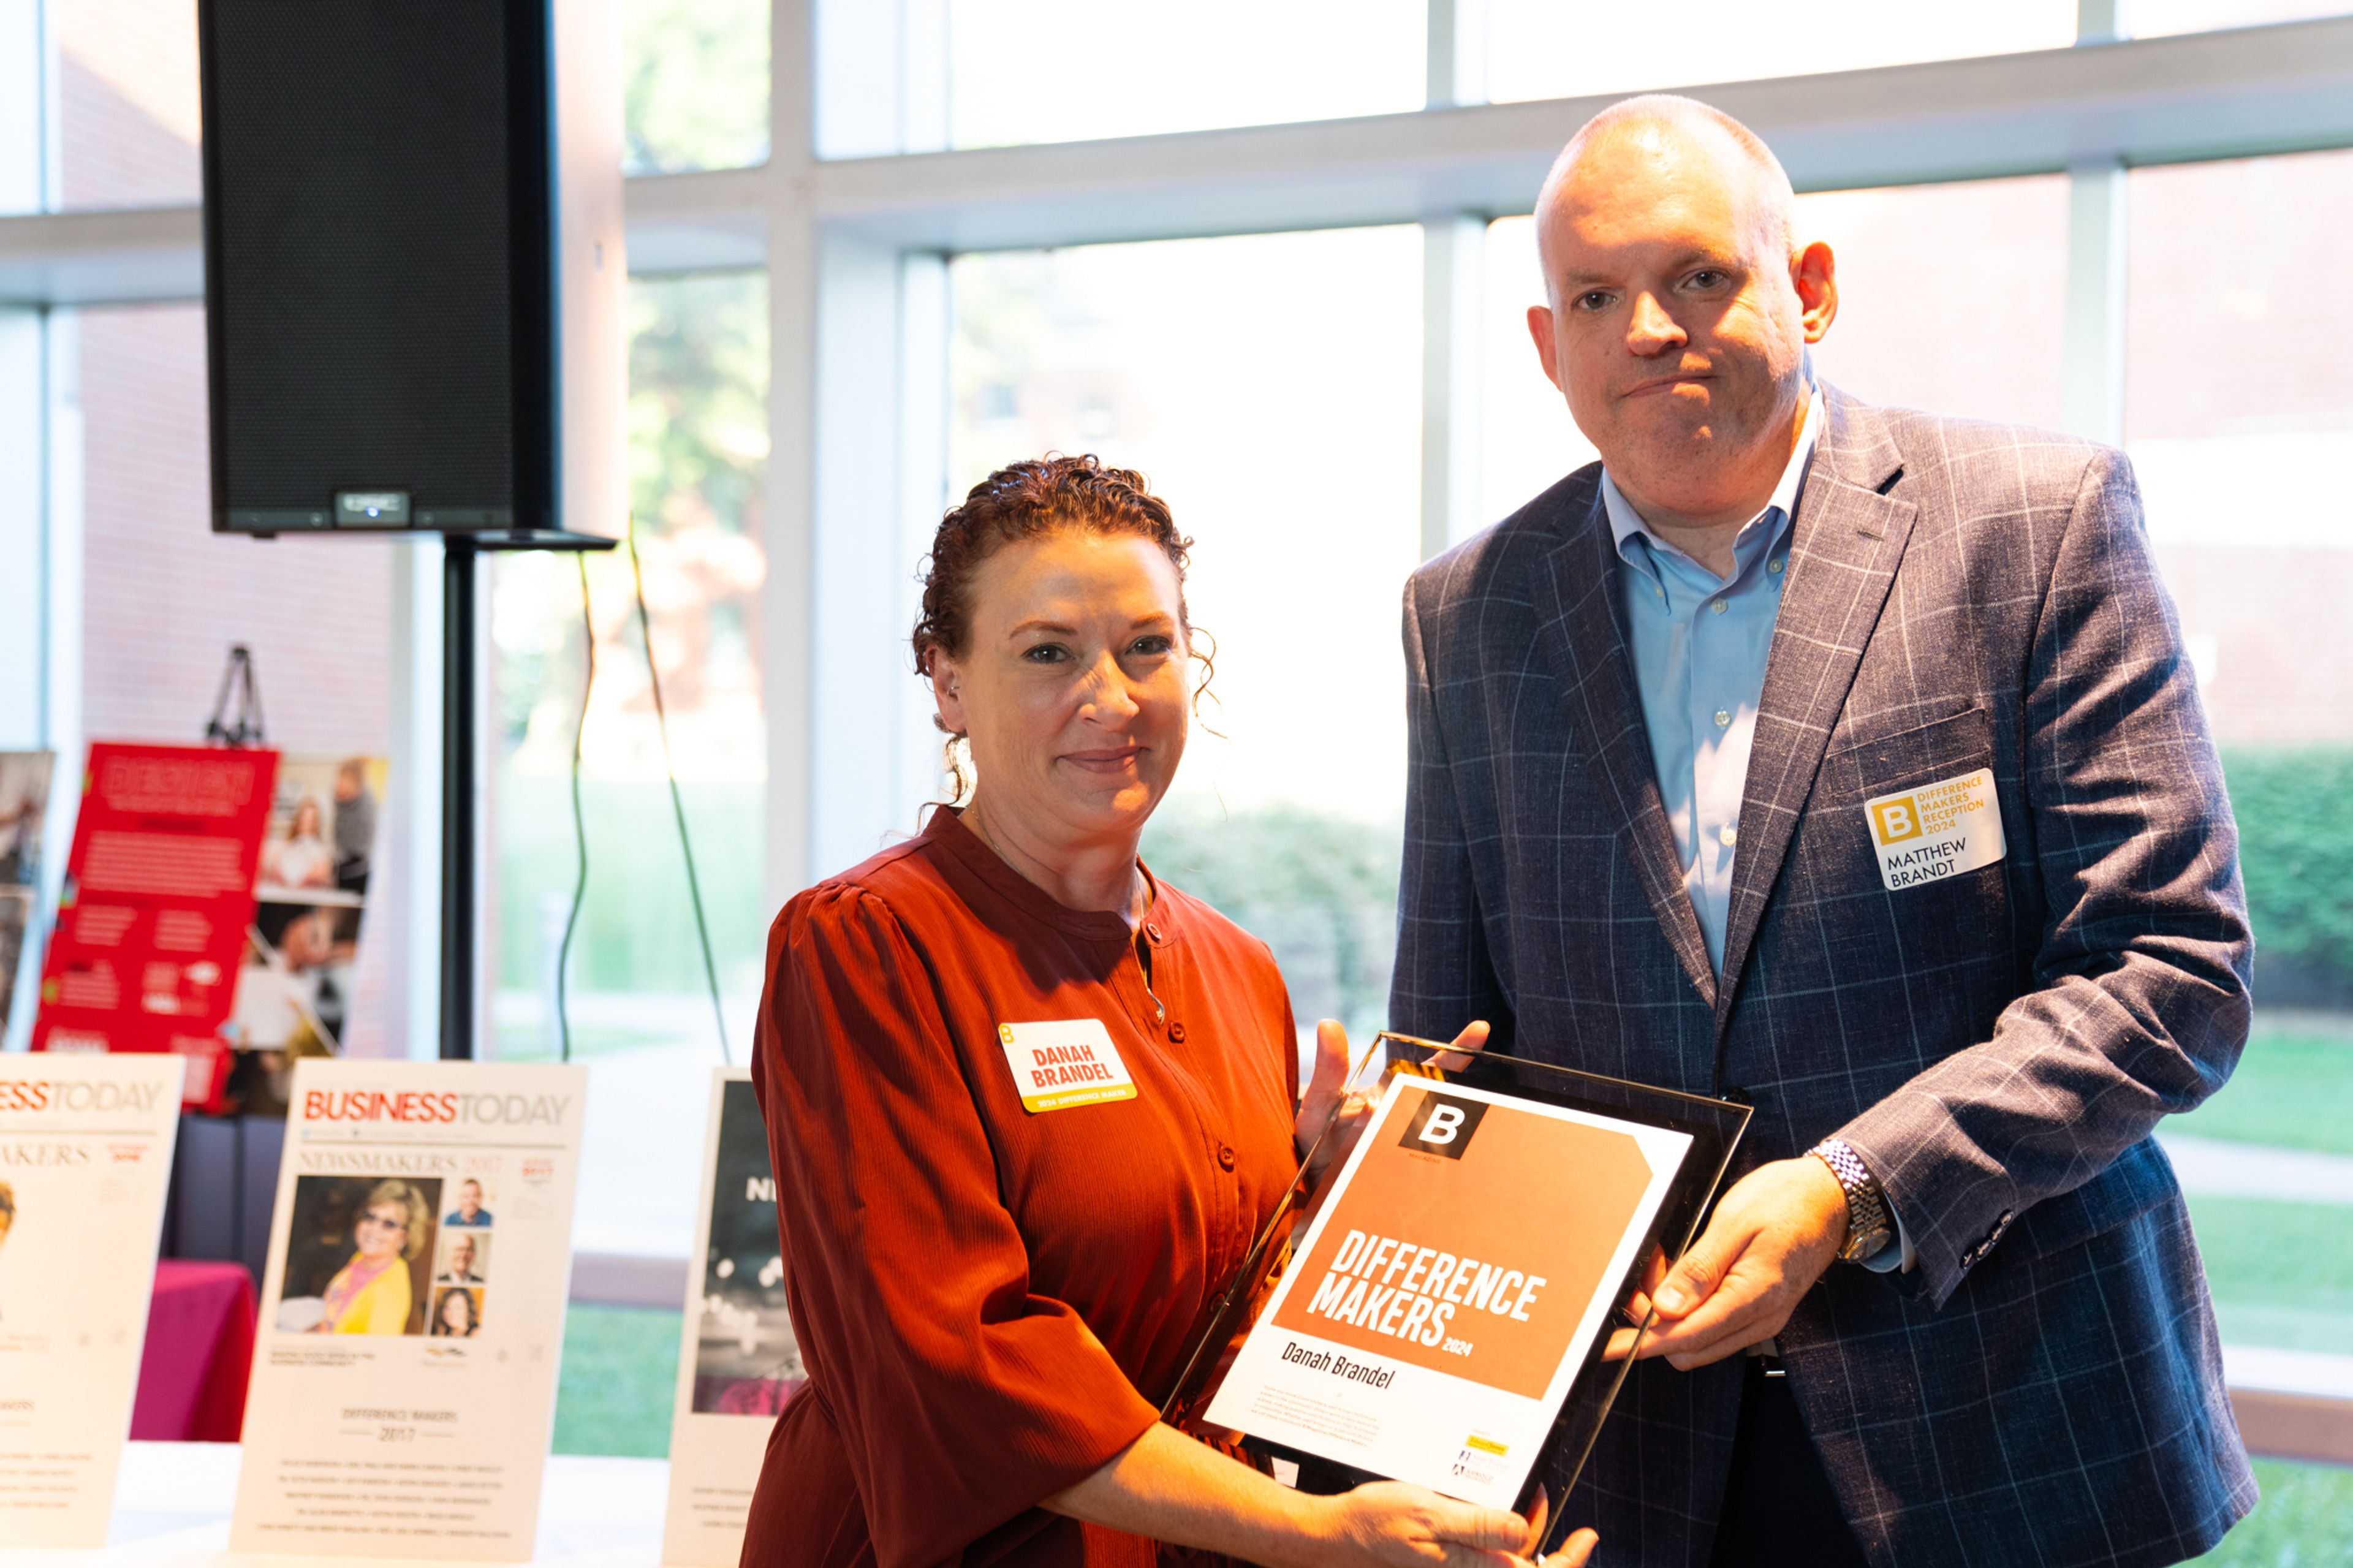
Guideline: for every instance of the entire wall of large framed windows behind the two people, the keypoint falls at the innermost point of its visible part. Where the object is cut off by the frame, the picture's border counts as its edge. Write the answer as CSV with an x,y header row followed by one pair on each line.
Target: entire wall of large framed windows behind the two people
x,y
1324,408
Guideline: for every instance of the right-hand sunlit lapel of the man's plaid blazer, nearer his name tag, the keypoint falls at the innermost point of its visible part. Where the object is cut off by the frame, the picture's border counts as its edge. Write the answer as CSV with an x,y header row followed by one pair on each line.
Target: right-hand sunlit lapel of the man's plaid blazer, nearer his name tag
x,y
1846,545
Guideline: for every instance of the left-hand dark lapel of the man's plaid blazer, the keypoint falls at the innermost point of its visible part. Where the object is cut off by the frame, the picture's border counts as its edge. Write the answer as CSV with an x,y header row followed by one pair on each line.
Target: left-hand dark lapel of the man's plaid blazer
x,y
1587,649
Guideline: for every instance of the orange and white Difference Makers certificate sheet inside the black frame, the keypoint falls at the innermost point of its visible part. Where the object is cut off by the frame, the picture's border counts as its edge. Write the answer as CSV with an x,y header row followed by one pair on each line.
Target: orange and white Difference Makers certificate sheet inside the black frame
x,y
1451,1287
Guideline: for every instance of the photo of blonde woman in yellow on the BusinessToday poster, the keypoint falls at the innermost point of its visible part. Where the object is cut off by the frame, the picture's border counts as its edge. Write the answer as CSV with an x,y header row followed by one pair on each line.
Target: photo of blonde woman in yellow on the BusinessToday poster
x,y
356,1256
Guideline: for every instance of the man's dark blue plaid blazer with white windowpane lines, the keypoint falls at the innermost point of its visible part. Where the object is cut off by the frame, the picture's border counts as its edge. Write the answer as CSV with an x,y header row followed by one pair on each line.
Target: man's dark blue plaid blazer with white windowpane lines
x,y
2046,1386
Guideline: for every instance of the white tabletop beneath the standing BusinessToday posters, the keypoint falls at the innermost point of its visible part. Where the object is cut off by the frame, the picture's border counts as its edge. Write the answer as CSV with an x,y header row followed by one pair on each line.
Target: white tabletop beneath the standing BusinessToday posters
x,y
173,1510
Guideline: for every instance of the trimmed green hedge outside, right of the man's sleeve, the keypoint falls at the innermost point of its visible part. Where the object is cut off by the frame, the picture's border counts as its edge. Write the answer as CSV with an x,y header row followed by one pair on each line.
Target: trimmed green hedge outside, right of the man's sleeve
x,y
2295,844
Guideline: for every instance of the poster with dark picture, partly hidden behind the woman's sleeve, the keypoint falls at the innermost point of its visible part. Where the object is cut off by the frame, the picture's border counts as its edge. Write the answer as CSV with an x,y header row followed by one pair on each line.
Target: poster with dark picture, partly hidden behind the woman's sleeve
x,y
738,1362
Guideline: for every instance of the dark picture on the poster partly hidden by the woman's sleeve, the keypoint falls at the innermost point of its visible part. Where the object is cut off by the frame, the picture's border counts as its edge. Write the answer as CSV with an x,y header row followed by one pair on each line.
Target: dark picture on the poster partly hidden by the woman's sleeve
x,y
747,1360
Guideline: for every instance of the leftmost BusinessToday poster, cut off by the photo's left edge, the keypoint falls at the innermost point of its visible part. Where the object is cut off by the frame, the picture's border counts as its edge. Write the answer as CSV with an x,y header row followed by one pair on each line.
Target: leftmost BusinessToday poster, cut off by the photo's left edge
x,y
86,1155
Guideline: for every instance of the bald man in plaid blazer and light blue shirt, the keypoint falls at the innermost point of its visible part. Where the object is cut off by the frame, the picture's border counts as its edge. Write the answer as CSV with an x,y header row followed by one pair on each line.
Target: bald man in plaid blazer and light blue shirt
x,y
1844,762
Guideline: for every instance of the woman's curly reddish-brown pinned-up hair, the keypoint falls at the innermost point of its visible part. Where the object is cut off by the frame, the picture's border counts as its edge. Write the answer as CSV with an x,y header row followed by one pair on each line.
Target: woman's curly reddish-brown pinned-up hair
x,y
1044,496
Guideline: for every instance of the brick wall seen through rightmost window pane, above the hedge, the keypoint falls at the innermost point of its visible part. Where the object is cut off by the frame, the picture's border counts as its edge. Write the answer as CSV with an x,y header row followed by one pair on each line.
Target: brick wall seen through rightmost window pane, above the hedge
x,y
2234,350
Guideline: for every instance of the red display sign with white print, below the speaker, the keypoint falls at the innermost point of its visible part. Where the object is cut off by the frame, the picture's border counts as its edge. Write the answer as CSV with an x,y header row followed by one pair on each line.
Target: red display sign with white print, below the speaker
x,y
156,903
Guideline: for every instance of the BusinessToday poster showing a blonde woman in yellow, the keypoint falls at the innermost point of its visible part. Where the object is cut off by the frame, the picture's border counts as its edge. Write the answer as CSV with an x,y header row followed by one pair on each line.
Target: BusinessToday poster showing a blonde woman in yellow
x,y
413,1313
